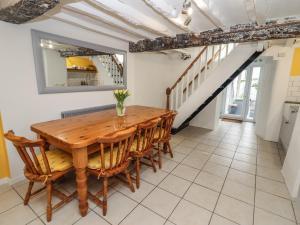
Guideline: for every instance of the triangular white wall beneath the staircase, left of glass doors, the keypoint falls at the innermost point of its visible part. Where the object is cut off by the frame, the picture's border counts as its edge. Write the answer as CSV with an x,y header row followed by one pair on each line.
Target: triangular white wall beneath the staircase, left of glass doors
x,y
209,117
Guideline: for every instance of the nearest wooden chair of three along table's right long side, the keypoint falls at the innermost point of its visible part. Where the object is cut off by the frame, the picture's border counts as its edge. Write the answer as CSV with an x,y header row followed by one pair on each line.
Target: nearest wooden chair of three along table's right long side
x,y
113,159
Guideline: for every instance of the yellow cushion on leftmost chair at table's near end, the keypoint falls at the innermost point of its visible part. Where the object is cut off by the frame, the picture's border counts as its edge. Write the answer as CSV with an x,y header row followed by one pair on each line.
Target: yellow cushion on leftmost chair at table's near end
x,y
58,160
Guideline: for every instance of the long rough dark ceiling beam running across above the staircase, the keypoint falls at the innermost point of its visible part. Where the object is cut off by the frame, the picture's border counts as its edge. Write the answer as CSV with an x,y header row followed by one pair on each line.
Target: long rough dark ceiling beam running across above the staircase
x,y
236,34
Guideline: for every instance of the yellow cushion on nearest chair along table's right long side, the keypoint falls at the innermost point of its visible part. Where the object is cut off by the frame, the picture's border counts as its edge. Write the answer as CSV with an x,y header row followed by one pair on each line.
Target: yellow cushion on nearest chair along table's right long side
x,y
95,160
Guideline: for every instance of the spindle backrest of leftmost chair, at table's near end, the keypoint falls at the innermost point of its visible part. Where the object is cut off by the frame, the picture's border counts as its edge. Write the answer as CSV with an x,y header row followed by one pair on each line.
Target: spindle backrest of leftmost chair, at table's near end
x,y
27,151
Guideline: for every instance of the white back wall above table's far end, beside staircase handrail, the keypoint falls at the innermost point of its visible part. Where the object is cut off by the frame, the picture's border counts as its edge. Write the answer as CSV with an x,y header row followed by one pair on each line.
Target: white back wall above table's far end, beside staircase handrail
x,y
155,72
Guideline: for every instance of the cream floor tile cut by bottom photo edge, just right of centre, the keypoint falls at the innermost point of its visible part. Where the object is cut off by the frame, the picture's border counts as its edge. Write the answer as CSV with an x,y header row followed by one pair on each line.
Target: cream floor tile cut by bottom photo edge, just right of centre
x,y
187,213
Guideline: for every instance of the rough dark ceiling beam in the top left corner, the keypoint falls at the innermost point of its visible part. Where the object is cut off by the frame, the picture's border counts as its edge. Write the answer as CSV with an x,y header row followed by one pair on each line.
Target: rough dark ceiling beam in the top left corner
x,y
22,11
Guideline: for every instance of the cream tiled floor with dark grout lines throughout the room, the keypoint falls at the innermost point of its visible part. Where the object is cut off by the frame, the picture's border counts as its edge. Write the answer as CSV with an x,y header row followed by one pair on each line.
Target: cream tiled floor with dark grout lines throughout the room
x,y
221,177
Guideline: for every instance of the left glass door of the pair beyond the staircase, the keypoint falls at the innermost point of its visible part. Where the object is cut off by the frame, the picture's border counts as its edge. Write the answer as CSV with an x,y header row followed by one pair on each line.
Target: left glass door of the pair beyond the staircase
x,y
234,102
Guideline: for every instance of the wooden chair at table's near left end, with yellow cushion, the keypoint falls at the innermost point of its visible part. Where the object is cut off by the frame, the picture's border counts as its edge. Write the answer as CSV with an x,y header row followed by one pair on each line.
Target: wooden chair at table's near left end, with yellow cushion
x,y
43,166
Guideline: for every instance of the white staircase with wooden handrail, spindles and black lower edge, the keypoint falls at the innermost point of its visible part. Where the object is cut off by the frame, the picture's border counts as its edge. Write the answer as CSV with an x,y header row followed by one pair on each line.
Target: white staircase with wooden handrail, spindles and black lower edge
x,y
209,73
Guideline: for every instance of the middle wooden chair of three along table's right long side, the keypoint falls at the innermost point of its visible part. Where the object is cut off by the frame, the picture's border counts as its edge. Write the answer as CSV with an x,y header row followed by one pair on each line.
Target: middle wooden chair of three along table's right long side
x,y
143,147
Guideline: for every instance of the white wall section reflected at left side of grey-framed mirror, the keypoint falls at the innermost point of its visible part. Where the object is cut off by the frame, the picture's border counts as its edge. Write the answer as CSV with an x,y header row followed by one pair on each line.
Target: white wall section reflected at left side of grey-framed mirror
x,y
55,68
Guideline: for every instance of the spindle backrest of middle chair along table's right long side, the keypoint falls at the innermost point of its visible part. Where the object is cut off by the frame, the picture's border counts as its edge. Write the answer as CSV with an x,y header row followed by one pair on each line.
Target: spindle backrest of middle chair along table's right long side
x,y
145,135
